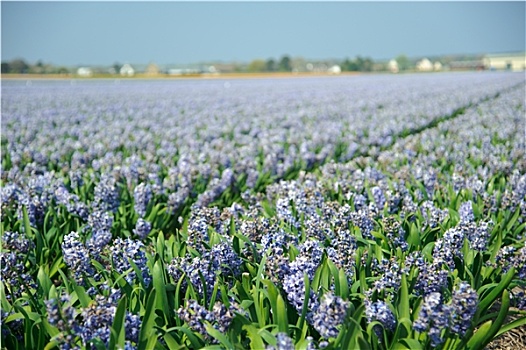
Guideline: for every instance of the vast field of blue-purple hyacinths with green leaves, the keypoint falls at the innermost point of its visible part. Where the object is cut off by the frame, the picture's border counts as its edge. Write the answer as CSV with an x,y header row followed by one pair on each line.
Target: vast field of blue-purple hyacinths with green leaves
x,y
363,212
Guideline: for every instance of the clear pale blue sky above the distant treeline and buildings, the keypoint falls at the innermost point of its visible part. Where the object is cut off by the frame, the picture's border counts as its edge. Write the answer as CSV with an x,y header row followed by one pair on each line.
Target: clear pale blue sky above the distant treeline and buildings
x,y
74,33
